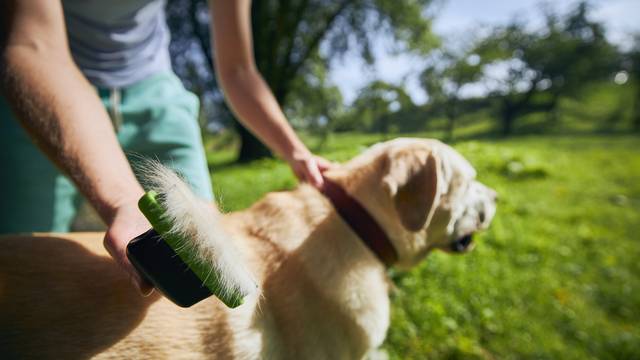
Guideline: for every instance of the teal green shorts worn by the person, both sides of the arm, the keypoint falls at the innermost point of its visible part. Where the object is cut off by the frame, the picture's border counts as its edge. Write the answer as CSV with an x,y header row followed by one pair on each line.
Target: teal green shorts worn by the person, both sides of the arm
x,y
155,118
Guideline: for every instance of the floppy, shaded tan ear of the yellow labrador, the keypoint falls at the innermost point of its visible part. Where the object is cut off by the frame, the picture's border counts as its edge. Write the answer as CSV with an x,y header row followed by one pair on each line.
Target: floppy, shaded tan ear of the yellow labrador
x,y
412,182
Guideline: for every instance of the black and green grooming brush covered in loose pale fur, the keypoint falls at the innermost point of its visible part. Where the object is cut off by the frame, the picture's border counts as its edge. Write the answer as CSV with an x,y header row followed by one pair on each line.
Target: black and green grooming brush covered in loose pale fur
x,y
186,255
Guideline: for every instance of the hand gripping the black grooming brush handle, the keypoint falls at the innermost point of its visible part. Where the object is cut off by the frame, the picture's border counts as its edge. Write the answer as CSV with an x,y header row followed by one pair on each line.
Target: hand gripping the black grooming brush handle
x,y
127,223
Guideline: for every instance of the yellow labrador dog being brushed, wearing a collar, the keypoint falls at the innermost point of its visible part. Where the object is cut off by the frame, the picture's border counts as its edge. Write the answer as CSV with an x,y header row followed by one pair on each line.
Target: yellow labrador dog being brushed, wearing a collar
x,y
324,288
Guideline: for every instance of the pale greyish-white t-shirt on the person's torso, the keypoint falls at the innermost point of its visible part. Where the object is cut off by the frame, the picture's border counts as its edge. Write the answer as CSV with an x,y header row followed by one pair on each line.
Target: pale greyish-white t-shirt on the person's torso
x,y
118,42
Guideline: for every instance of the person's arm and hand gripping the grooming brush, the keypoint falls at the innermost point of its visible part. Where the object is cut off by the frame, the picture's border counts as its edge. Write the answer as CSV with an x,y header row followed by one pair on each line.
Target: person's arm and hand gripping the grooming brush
x,y
63,115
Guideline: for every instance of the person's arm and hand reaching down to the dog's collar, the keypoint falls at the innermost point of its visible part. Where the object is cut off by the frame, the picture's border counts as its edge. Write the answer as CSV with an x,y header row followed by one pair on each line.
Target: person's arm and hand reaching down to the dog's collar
x,y
247,92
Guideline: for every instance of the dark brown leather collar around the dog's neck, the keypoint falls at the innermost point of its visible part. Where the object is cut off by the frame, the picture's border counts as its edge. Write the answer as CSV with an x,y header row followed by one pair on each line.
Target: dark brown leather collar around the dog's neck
x,y
361,222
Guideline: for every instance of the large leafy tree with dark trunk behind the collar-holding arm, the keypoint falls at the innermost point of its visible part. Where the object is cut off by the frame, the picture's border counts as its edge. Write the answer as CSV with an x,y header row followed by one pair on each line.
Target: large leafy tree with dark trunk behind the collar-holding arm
x,y
290,35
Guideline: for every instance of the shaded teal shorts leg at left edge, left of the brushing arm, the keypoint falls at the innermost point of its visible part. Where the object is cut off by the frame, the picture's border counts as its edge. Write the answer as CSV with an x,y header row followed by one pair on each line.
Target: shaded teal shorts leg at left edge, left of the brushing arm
x,y
34,196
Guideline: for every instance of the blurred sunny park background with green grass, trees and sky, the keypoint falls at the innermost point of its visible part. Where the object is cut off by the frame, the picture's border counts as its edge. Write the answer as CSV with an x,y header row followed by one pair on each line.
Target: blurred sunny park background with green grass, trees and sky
x,y
542,98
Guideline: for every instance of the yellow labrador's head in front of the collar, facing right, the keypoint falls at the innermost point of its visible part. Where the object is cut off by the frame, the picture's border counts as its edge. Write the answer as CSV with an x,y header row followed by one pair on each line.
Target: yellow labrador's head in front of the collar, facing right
x,y
423,193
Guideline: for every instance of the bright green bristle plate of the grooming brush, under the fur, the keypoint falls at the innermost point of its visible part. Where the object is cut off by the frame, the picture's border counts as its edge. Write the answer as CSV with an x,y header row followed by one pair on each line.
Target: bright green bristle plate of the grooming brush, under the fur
x,y
155,213
